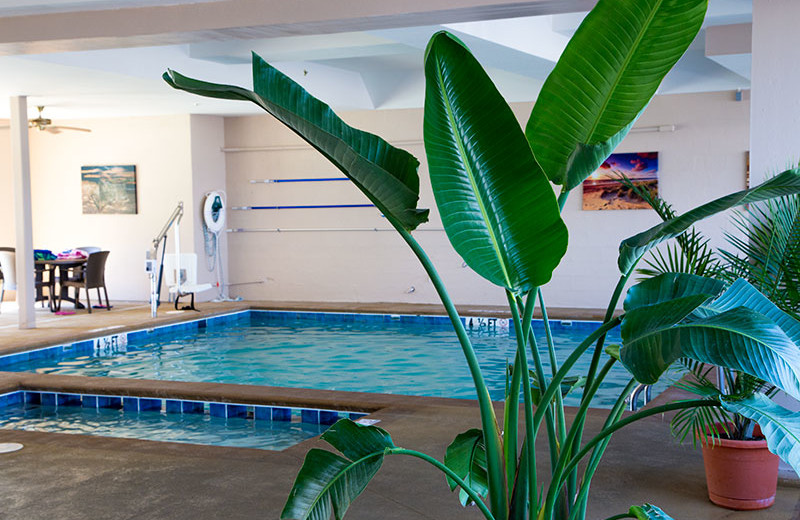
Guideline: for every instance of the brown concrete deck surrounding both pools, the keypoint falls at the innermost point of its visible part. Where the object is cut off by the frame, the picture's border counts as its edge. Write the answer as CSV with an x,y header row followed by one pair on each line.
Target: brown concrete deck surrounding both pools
x,y
59,476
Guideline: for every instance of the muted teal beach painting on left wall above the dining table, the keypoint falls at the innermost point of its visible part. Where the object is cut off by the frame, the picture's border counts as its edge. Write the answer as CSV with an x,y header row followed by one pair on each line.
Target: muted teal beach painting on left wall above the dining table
x,y
109,189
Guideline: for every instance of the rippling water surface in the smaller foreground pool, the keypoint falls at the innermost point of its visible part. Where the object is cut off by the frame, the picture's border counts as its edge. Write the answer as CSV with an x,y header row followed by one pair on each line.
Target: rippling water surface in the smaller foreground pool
x,y
193,428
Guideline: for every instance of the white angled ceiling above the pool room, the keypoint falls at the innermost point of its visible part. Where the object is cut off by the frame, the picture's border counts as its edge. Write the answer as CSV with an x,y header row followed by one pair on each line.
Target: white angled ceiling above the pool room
x,y
369,69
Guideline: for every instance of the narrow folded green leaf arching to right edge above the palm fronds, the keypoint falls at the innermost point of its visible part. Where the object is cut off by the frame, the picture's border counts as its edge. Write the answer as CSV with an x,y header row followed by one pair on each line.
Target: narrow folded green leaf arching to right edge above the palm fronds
x,y
631,249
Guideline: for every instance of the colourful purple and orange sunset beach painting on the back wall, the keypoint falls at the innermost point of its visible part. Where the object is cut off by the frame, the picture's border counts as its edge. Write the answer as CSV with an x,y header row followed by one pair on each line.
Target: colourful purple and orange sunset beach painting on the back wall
x,y
603,190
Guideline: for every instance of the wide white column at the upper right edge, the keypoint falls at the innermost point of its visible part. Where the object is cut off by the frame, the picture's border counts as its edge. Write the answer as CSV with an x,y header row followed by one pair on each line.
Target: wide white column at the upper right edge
x,y
775,97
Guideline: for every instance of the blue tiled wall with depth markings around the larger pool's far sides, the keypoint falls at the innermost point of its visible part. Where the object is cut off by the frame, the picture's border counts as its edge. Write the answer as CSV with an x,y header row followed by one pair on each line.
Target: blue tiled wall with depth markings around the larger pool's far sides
x,y
114,342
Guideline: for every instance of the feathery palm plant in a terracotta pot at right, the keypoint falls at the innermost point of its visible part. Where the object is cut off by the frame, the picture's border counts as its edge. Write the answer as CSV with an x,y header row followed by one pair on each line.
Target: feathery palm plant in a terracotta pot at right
x,y
741,472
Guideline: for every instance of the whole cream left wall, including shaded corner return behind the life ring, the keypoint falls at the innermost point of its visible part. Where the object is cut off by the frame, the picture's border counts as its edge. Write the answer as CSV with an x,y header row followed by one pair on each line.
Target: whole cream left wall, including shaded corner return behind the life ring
x,y
177,158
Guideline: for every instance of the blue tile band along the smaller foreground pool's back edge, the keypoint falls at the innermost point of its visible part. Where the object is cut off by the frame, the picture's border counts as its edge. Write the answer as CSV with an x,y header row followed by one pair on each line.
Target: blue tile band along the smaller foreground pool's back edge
x,y
177,406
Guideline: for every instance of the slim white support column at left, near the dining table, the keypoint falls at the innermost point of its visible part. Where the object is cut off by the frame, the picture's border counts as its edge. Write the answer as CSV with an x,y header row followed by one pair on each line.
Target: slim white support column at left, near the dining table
x,y
21,170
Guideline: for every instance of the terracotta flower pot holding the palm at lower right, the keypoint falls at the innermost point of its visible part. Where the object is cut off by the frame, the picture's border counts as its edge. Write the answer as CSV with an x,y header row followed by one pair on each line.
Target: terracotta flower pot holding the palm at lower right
x,y
740,475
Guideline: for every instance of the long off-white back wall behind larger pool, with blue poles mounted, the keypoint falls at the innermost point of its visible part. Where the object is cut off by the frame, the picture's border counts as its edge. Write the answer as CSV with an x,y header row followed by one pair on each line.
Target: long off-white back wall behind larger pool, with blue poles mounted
x,y
703,159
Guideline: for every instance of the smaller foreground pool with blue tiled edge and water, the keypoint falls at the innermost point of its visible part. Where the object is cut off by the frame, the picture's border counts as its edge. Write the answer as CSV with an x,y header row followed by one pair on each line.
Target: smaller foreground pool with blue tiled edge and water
x,y
169,420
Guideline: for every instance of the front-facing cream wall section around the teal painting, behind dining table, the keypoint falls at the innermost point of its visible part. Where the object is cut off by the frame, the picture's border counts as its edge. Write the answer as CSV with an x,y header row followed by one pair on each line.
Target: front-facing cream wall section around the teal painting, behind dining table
x,y
160,149
